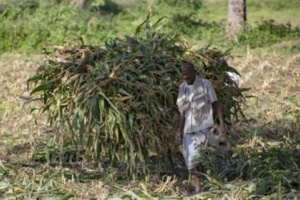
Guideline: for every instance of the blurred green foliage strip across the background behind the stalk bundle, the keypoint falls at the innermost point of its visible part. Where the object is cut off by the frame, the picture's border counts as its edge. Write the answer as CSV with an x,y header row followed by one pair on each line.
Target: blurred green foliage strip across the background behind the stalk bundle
x,y
30,25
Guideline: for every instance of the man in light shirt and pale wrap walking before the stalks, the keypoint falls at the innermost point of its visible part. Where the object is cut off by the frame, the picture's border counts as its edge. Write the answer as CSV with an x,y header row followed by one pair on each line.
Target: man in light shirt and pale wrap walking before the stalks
x,y
196,101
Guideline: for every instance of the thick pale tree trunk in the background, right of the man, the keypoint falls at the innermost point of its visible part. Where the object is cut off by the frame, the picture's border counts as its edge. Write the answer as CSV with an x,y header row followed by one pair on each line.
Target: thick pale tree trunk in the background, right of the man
x,y
236,17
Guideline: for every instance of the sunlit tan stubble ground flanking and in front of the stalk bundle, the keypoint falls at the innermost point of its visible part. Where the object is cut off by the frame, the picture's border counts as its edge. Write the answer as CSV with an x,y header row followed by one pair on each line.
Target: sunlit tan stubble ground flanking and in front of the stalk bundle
x,y
275,86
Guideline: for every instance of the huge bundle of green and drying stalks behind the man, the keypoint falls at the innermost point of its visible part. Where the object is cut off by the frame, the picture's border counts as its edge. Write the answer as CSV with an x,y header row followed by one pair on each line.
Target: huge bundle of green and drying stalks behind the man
x,y
119,101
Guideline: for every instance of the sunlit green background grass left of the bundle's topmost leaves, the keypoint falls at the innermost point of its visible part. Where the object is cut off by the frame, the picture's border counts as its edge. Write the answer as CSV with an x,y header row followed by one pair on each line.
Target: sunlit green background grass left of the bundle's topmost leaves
x,y
26,29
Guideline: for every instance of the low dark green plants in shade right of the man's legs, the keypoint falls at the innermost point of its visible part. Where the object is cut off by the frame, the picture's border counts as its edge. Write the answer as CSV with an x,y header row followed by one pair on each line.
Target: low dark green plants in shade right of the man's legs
x,y
262,169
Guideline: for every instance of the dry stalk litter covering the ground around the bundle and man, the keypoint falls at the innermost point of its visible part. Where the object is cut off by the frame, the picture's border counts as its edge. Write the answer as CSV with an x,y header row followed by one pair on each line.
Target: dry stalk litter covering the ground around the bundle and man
x,y
270,126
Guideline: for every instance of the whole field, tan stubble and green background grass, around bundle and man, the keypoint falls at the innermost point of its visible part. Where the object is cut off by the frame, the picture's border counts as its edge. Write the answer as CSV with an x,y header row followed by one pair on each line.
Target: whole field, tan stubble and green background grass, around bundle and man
x,y
266,157
